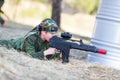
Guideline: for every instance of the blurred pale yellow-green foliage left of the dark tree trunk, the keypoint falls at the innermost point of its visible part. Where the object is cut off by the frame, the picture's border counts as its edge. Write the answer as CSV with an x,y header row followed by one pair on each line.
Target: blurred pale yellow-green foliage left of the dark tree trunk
x,y
30,8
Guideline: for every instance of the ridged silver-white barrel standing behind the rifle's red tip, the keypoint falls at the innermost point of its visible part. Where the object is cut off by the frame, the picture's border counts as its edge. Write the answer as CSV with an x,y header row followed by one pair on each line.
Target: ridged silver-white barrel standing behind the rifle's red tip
x,y
107,34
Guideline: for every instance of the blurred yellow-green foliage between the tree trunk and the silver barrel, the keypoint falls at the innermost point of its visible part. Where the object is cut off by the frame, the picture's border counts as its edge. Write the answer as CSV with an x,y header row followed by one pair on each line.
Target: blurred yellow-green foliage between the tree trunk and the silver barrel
x,y
88,6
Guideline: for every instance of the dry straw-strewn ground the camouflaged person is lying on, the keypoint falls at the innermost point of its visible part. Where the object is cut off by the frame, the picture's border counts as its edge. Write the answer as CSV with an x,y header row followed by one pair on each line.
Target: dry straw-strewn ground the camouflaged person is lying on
x,y
19,66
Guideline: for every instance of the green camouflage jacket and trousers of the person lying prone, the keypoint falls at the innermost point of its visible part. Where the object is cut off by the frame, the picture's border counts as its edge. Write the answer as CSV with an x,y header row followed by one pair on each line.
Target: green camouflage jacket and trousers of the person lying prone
x,y
31,43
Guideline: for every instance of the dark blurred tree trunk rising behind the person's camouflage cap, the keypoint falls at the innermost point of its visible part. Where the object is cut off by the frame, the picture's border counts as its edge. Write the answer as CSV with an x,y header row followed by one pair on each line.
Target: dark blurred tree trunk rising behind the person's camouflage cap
x,y
56,11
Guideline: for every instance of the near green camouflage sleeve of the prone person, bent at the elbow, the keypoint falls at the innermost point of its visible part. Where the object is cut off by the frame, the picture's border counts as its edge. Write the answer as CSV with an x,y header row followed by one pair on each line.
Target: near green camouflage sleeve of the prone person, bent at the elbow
x,y
30,48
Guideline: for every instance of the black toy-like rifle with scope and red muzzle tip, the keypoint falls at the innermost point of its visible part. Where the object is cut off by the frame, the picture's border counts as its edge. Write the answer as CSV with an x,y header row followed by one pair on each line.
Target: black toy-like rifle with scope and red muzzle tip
x,y
64,44
